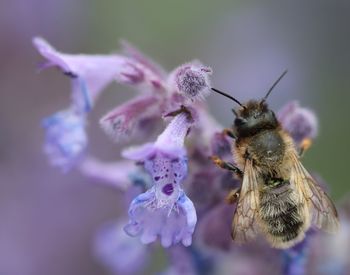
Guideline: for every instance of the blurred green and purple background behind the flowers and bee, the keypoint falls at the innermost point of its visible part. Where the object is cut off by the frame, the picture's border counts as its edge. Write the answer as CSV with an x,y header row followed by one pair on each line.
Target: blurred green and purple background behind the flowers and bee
x,y
48,219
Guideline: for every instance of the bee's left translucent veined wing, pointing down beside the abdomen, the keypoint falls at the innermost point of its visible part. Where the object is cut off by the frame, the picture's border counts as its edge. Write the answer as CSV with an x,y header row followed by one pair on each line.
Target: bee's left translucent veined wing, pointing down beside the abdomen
x,y
243,225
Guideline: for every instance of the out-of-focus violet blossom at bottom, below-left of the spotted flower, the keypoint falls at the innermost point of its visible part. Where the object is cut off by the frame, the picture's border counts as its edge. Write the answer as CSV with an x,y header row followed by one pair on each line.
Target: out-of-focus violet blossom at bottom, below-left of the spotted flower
x,y
120,253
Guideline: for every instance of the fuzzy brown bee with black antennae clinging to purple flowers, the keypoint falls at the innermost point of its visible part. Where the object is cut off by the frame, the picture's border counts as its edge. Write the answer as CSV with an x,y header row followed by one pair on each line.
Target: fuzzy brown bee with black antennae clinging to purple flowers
x,y
278,197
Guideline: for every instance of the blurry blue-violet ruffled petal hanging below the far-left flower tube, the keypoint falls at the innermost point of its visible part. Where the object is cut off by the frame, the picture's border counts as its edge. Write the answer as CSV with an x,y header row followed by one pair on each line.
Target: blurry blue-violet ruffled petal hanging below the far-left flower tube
x,y
65,138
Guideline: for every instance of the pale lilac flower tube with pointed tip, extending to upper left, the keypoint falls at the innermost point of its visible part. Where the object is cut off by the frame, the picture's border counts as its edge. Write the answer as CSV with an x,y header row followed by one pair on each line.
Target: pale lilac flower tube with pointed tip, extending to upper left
x,y
97,71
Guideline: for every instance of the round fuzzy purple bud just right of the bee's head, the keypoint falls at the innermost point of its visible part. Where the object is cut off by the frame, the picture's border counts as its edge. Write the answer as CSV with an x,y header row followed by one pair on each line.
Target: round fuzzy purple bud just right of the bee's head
x,y
300,122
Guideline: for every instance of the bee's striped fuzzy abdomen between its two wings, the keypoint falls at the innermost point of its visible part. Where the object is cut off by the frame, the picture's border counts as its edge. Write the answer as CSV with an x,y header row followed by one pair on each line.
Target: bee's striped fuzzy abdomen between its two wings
x,y
281,214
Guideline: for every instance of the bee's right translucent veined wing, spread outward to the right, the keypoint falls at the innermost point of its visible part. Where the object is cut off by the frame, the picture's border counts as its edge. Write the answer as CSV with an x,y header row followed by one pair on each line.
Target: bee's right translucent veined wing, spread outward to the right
x,y
323,211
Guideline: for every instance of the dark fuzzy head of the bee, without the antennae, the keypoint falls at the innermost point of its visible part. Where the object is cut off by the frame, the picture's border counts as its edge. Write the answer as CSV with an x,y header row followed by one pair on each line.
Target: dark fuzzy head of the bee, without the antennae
x,y
254,117
